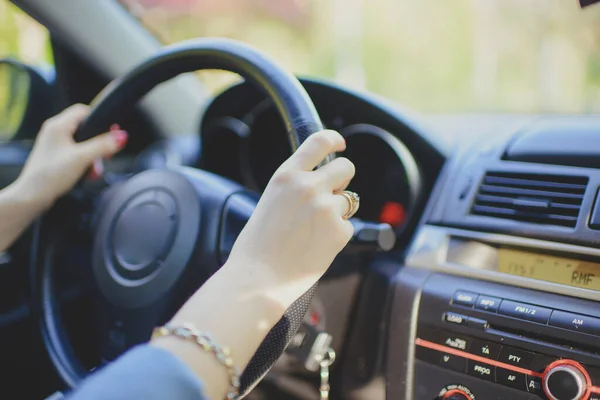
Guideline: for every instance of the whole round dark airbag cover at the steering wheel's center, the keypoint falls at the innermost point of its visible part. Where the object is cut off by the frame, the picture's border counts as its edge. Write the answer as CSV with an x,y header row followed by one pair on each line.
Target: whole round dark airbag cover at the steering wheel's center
x,y
146,236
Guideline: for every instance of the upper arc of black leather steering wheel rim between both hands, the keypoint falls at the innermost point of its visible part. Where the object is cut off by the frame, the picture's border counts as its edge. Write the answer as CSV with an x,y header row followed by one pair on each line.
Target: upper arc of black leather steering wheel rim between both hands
x,y
290,98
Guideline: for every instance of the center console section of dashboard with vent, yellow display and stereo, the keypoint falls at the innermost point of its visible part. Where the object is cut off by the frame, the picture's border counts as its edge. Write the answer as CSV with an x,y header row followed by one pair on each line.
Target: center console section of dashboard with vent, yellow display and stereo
x,y
497,298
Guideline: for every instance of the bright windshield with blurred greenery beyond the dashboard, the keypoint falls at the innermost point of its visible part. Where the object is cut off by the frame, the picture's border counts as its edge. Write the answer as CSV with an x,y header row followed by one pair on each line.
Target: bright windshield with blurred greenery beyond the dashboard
x,y
527,56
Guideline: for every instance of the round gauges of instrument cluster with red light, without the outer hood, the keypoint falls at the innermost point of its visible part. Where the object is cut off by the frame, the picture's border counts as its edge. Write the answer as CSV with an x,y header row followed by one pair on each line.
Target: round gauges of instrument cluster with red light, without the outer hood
x,y
248,145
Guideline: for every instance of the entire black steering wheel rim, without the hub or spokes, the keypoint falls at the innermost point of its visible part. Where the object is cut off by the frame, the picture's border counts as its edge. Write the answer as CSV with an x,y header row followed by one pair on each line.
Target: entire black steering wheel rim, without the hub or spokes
x,y
300,117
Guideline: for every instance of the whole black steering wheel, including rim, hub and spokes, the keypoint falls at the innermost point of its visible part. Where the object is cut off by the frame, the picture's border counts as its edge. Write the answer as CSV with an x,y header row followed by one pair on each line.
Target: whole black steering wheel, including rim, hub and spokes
x,y
162,233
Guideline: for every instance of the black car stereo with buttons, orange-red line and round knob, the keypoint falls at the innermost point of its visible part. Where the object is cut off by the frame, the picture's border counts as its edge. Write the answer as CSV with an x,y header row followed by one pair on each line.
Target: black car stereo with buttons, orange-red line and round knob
x,y
480,338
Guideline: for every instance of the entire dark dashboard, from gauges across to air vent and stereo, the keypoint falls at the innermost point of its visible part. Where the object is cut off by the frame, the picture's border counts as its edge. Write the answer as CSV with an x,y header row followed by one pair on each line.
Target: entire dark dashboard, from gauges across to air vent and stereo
x,y
492,292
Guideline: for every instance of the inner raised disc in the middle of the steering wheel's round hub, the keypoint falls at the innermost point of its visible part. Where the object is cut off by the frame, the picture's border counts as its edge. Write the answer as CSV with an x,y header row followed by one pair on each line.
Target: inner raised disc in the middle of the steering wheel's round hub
x,y
143,234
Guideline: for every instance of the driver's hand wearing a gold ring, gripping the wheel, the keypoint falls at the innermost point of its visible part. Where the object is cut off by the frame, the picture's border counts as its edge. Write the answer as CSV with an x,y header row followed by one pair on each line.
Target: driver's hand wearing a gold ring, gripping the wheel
x,y
297,228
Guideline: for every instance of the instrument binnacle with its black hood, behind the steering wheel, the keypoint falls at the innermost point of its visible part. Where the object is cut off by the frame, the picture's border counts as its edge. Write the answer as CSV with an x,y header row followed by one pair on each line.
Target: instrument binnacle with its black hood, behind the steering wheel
x,y
245,140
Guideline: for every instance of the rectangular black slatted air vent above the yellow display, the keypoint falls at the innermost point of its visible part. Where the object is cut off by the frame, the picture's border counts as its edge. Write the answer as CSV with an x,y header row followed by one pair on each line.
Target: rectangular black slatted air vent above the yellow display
x,y
540,199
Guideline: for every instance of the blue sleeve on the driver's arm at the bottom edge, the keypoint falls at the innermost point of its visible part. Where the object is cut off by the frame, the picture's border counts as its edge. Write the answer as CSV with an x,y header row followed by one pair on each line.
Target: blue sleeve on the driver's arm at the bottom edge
x,y
145,372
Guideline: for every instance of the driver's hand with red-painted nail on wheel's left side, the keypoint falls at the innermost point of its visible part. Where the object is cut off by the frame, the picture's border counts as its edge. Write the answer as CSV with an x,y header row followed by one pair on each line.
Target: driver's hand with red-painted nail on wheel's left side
x,y
57,161
